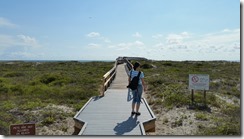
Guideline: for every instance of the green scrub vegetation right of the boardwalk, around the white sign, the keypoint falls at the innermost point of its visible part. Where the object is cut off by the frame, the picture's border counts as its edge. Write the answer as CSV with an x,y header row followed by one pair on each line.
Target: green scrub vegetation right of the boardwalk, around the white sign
x,y
168,88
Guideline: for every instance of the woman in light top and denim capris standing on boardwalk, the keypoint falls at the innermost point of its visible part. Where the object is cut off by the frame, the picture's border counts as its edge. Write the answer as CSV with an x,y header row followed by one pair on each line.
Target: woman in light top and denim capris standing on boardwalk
x,y
138,92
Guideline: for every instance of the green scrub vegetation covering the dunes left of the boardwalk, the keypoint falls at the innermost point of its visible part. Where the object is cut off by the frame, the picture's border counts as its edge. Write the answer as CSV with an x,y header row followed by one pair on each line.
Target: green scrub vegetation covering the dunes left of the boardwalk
x,y
31,86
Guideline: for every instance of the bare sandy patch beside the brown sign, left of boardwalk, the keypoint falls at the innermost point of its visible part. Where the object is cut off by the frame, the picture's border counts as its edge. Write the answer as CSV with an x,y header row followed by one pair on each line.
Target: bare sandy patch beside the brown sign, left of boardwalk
x,y
61,125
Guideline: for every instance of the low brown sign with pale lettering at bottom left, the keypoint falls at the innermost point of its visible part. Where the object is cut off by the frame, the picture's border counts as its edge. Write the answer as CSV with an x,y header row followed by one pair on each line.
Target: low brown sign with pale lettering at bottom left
x,y
23,129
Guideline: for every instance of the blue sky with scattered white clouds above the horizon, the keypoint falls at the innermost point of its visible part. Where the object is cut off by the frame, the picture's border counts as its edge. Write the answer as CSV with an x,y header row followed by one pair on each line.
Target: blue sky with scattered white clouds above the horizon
x,y
106,29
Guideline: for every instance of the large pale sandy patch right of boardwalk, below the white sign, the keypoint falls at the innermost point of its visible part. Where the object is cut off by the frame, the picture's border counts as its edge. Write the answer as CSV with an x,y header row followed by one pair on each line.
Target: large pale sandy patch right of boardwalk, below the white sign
x,y
177,121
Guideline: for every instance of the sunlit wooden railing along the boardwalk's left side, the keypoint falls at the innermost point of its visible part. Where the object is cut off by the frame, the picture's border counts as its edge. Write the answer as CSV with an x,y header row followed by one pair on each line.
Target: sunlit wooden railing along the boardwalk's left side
x,y
108,78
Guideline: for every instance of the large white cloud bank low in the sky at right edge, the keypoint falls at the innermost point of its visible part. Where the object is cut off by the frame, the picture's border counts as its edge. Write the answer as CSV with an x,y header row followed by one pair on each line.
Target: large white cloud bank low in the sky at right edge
x,y
224,41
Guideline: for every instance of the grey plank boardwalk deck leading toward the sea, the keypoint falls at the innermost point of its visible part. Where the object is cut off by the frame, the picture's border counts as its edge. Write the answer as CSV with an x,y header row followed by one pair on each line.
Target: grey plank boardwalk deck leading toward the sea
x,y
111,114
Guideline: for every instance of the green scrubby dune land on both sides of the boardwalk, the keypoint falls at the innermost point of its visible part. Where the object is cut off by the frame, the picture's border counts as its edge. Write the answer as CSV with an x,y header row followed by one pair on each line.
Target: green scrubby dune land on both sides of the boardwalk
x,y
48,93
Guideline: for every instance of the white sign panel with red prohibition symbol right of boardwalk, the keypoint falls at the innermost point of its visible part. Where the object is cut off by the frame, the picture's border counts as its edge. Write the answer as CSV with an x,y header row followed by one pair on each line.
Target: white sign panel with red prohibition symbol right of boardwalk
x,y
198,81
